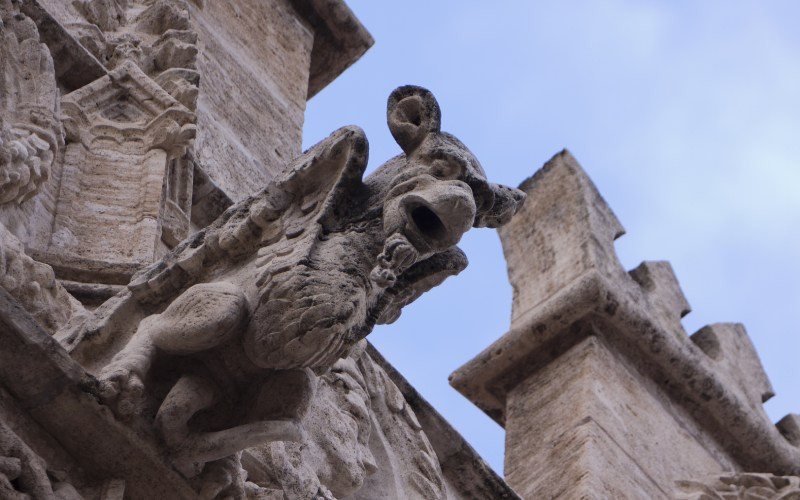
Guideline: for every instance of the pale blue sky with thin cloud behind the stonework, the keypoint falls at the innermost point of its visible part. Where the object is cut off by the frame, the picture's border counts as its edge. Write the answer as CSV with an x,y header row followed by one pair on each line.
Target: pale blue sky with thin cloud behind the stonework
x,y
685,114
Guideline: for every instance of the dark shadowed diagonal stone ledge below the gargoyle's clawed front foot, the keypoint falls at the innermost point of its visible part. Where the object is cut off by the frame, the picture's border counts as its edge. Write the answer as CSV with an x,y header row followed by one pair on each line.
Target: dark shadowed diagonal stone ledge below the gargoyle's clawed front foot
x,y
61,397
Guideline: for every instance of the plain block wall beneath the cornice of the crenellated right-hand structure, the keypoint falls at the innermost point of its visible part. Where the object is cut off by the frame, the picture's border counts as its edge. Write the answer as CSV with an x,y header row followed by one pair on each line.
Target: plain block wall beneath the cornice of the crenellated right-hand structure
x,y
587,411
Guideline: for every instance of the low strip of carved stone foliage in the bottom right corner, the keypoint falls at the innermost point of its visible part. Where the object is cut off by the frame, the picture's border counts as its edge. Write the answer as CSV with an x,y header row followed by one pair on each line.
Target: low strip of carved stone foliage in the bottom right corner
x,y
741,486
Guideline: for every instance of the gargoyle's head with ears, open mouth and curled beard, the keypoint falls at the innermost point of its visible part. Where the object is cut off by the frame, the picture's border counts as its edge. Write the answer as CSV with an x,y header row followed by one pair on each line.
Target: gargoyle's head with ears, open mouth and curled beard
x,y
436,190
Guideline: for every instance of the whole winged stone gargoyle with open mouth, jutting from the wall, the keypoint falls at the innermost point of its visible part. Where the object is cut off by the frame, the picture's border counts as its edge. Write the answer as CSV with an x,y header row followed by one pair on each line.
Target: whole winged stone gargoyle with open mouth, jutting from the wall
x,y
218,344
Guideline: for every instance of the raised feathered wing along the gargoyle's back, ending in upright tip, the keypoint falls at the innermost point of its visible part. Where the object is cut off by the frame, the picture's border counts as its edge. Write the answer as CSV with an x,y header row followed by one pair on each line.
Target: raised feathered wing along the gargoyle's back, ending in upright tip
x,y
306,192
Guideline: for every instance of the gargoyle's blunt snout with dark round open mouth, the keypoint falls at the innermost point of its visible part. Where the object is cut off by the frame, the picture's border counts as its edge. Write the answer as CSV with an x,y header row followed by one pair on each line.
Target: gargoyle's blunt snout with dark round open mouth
x,y
438,215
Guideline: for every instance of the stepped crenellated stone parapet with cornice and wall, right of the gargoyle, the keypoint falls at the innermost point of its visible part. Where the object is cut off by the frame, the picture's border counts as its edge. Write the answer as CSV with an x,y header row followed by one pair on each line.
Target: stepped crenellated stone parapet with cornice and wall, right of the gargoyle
x,y
598,375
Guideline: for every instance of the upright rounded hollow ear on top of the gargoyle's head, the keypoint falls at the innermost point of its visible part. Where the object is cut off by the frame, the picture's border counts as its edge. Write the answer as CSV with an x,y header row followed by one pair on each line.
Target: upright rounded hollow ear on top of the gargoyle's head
x,y
412,114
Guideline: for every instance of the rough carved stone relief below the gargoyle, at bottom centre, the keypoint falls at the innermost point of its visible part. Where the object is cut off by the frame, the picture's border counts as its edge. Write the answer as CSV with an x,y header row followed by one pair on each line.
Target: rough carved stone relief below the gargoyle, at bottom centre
x,y
362,441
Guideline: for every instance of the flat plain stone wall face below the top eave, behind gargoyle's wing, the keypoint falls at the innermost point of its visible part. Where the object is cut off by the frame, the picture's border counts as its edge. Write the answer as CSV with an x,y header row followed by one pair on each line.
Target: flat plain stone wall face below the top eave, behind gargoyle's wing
x,y
270,76
